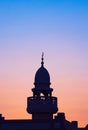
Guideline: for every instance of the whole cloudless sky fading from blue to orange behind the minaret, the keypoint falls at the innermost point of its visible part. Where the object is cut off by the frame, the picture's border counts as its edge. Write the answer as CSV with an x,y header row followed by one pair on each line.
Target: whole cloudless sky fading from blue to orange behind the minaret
x,y
59,28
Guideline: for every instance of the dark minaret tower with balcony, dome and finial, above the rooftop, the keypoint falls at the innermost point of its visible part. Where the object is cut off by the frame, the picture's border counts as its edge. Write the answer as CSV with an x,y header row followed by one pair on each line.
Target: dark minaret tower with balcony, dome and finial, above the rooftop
x,y
42,105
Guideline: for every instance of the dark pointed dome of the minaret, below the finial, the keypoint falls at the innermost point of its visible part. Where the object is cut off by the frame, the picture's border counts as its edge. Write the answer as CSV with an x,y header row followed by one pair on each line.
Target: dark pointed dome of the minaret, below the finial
x,y
42,77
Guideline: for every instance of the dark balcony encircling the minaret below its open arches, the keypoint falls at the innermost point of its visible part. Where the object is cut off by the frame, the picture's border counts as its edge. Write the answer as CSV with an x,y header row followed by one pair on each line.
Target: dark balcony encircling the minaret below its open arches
x,y
42,104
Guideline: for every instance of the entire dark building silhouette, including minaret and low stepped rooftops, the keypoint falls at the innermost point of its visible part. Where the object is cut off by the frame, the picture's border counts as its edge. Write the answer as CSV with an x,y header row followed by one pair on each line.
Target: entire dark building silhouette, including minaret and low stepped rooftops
x,y
42,105
